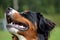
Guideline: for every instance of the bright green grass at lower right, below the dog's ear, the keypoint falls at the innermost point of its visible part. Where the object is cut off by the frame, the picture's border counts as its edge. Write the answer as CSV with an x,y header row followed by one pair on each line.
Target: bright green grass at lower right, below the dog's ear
x,y
55,34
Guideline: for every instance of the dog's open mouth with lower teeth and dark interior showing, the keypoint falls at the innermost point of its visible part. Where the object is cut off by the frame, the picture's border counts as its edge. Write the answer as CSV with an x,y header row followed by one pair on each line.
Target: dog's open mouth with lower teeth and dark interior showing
x,y
17,25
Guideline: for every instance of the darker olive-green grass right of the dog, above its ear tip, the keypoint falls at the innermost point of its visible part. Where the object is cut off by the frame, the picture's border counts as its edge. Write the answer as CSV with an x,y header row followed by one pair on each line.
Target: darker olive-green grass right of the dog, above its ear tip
x,y
54,17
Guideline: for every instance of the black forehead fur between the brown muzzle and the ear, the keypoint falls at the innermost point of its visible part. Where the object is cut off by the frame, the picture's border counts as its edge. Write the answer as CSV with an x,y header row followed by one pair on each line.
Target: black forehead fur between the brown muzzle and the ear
x,y
32,16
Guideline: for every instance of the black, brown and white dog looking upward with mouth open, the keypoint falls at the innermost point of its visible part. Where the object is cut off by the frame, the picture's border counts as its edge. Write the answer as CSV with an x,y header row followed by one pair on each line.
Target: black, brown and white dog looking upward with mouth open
x,y
28,25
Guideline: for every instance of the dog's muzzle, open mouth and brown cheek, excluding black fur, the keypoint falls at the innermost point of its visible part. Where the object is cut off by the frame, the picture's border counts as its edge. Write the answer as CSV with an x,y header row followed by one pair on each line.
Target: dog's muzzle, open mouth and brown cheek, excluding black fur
x,y
19,25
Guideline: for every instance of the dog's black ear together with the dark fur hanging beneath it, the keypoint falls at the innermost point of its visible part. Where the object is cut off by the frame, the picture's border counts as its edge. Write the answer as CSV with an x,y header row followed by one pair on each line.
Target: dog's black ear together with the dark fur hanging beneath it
x,y
44,25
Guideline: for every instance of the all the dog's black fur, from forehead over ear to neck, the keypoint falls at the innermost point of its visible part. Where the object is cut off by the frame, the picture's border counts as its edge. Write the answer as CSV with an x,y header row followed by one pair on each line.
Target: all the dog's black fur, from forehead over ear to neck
x,y
44,25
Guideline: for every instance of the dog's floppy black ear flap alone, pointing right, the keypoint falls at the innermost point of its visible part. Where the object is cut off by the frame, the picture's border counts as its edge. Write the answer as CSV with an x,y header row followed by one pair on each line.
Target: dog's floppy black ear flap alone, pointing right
x,y
44,24
